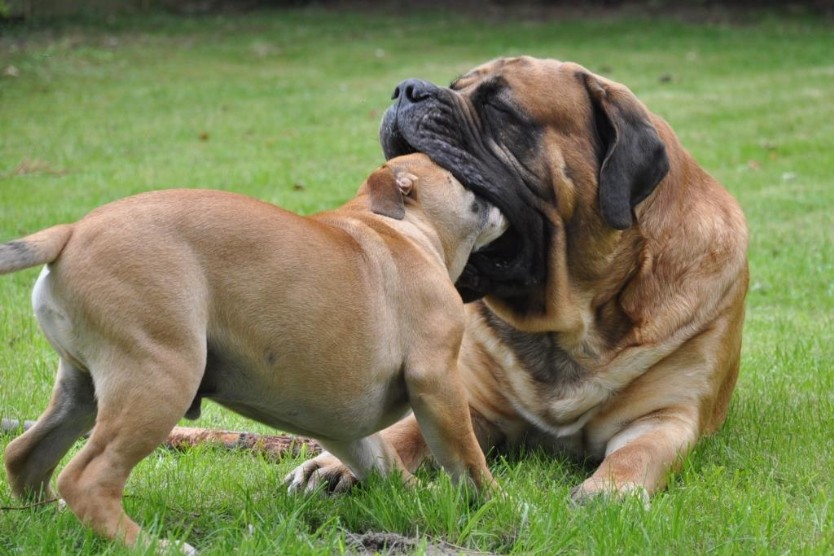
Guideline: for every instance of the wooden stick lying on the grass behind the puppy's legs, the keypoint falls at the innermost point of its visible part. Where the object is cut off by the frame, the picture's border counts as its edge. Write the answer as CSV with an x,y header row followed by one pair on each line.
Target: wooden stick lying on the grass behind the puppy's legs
x,y
182,438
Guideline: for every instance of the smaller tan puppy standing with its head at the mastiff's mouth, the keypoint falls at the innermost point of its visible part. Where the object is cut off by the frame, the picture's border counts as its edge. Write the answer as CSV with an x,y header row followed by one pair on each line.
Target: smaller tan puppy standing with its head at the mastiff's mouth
x,y
329,326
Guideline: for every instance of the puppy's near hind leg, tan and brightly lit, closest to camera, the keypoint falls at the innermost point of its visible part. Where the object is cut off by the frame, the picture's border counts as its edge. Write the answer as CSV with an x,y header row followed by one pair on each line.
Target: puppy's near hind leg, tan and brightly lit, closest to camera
x,y
141,396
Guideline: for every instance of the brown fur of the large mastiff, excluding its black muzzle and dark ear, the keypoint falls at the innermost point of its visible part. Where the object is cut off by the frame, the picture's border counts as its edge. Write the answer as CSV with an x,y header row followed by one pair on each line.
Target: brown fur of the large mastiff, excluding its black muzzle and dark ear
x,y
628,353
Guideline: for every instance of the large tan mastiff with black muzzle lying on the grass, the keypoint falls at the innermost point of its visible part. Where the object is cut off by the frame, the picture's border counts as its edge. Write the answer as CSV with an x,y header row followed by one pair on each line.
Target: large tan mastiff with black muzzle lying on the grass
x,y
613,310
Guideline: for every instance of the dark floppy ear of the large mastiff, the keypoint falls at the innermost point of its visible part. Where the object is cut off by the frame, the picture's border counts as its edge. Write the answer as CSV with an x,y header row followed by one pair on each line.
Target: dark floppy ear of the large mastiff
x,y
634,159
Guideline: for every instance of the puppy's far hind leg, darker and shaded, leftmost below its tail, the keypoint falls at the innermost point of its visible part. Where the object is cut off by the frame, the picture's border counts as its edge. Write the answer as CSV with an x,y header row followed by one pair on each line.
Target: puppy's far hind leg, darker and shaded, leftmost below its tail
x,y
31,458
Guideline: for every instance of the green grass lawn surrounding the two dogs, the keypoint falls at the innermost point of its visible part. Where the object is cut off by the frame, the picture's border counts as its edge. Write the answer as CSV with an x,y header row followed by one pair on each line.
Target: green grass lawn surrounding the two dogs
x,y
285,105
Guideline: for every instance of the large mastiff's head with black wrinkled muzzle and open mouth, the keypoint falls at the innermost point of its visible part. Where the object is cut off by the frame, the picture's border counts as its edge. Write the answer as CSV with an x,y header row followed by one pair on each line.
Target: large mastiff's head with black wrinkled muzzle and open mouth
x,y
541,140
